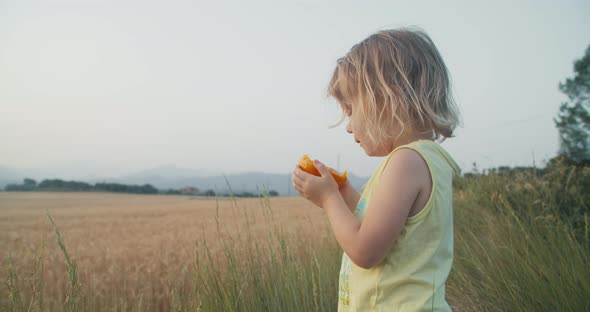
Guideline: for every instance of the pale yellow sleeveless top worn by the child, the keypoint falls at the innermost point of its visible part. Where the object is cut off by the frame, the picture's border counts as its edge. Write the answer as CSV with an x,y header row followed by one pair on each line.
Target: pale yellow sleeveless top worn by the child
x,y
412,276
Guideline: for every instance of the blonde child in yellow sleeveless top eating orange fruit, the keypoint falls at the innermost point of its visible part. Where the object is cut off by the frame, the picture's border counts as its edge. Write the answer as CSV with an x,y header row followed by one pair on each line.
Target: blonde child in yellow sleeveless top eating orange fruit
x,y
397,236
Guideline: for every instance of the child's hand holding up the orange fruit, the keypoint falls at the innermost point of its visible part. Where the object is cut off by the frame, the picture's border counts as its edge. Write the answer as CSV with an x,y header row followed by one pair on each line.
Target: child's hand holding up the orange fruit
x,y
313,188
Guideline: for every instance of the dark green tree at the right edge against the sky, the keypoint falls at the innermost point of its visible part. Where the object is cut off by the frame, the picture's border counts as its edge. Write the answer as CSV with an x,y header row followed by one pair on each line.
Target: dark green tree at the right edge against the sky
x,y
573,119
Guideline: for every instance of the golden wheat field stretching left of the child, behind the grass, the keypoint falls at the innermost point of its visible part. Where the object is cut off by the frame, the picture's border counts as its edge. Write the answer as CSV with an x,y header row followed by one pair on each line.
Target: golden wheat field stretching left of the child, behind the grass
x,y
138,241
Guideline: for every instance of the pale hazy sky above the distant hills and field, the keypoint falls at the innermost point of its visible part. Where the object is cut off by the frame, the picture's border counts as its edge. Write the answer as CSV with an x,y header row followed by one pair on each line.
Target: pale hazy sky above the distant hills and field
x,y
111,87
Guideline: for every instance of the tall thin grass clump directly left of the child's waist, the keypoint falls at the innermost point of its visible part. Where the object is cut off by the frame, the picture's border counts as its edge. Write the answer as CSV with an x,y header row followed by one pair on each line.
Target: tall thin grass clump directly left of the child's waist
x,y
281,273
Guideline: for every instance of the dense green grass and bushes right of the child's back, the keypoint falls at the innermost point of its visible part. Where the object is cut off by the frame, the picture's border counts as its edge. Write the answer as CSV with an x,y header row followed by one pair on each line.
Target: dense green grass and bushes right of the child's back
x,y
519,242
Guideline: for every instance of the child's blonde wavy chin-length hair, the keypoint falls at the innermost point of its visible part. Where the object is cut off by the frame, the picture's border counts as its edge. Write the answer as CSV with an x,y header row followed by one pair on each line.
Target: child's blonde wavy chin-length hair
x,y
396,76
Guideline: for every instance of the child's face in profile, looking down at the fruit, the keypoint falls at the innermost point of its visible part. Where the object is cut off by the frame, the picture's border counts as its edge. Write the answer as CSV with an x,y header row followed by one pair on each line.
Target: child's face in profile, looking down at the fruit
x,y
358,129
